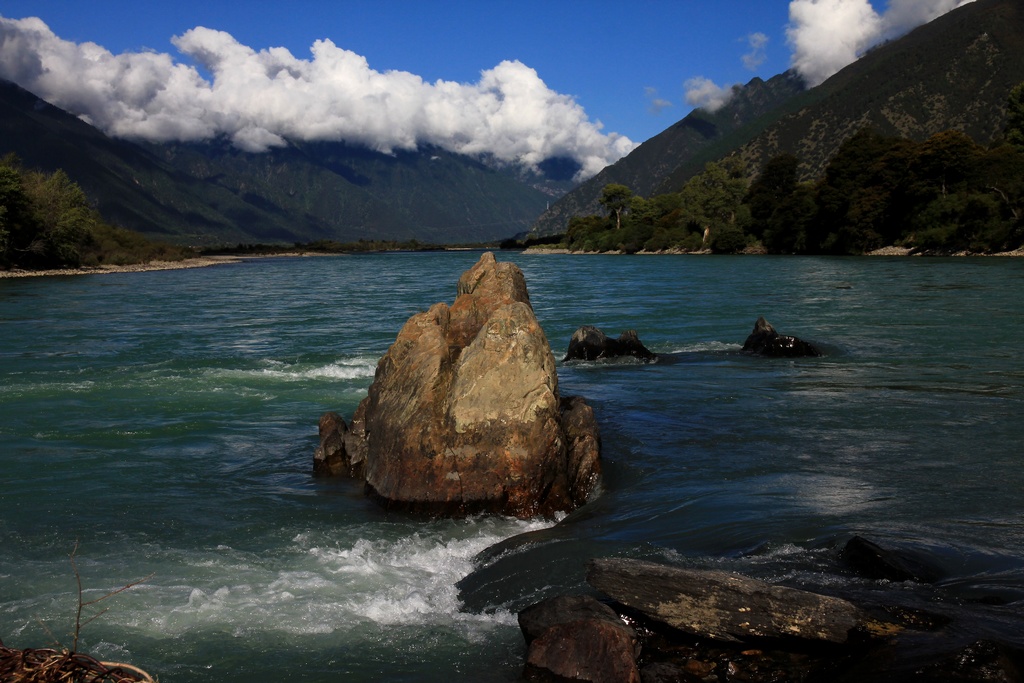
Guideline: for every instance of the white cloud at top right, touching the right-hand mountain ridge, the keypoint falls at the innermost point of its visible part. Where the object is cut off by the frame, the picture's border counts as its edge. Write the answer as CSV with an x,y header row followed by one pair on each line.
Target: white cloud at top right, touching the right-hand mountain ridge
x,y
828,35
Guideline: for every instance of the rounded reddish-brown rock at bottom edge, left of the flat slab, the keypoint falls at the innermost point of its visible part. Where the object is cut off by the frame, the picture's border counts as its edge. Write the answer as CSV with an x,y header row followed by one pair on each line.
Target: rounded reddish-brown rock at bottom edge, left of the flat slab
x,y
579,638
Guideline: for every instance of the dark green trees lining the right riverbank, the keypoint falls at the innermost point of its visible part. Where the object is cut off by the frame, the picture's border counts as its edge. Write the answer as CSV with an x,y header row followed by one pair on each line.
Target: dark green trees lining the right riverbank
x,y
944,195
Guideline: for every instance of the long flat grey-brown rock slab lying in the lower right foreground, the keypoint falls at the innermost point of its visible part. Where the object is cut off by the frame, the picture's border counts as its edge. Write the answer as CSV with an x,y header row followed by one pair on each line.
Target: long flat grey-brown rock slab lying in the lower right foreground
x,y
722,606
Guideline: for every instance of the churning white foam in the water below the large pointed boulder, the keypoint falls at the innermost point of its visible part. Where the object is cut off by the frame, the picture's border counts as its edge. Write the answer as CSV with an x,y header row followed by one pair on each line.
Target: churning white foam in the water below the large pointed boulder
x,y
317,586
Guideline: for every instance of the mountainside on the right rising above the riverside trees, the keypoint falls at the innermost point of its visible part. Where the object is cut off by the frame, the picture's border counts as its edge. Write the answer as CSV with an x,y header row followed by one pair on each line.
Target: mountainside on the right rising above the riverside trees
x,y
954,73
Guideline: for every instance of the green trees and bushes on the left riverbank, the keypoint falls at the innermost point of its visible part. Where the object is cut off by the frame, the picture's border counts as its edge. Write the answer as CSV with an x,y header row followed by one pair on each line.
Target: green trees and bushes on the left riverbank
x,y
47,222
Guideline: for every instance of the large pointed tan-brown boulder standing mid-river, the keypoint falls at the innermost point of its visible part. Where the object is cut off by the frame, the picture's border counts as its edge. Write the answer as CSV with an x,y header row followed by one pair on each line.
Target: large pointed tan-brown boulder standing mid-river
x,y
464,413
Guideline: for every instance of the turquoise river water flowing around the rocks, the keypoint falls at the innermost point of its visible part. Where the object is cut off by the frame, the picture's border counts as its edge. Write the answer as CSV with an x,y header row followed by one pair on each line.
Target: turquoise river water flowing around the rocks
x,y
165,422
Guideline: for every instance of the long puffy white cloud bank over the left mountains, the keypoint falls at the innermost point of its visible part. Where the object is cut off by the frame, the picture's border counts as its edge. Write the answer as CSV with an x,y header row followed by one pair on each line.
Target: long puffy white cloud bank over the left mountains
x,y
260,99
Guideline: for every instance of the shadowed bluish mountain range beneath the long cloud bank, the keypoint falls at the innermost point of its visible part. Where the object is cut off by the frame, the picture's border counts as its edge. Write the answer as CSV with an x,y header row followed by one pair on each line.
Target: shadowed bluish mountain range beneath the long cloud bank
x,y
212,193
